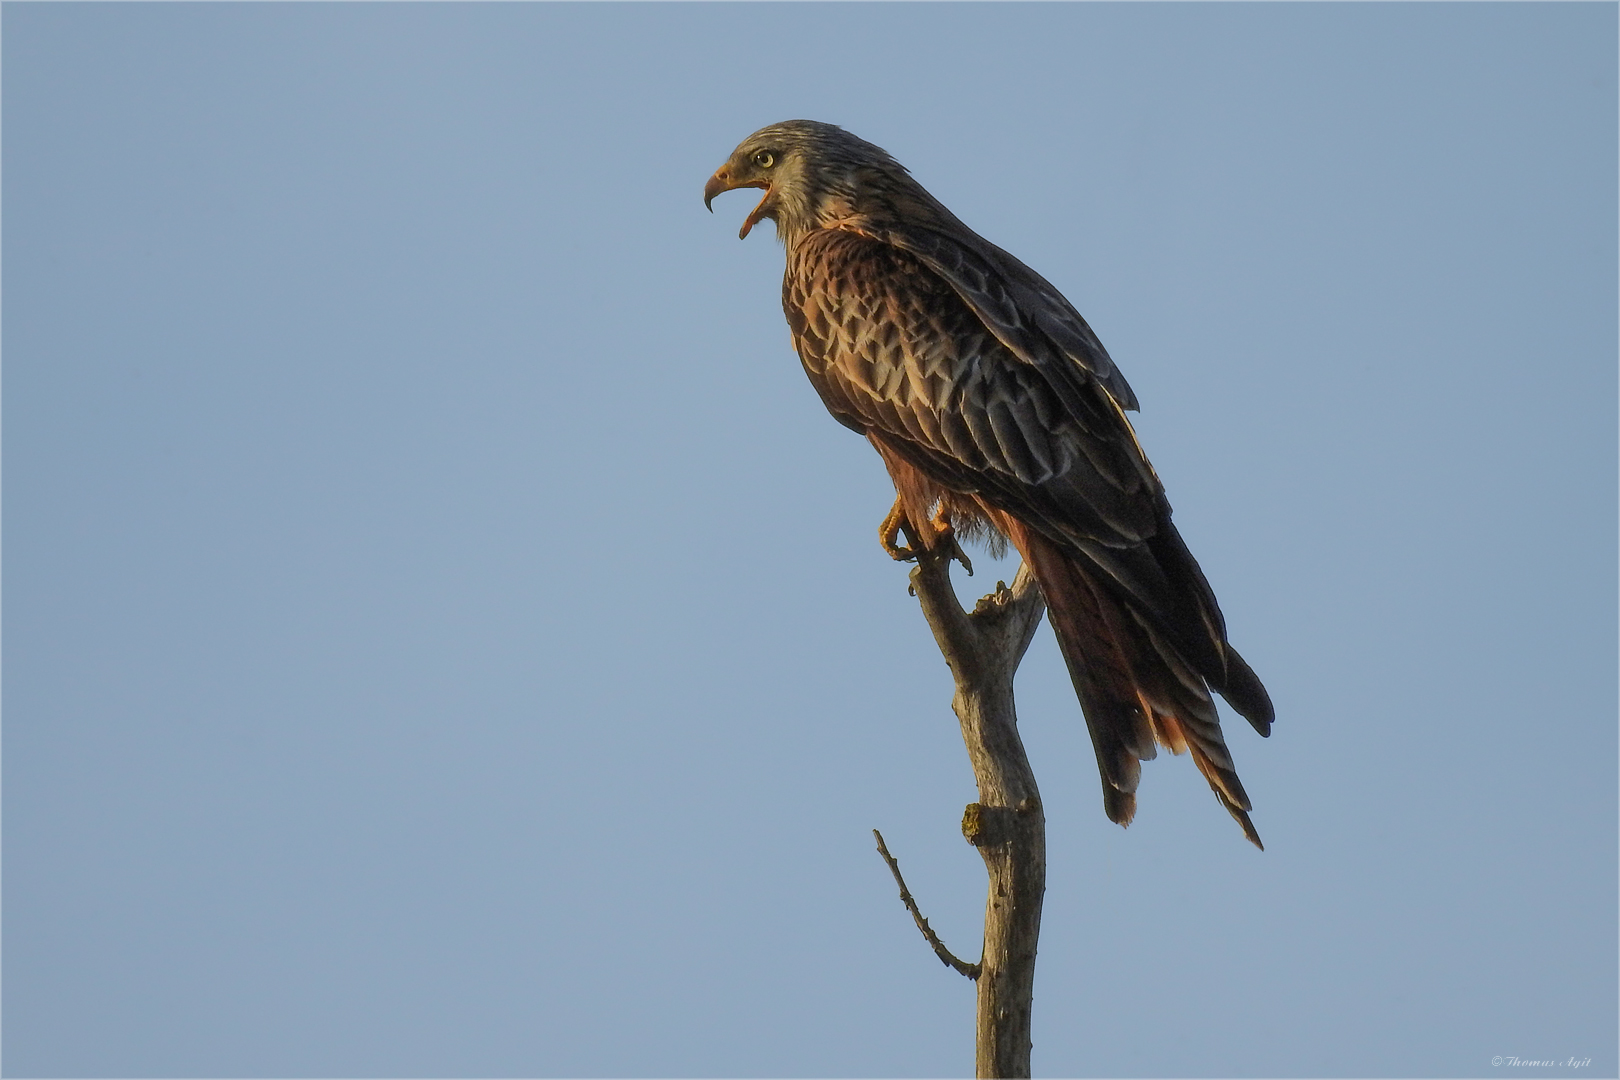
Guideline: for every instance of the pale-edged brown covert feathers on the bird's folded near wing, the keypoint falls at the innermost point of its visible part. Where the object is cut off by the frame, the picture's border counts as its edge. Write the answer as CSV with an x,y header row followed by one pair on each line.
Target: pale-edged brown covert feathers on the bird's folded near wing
x,y
892,347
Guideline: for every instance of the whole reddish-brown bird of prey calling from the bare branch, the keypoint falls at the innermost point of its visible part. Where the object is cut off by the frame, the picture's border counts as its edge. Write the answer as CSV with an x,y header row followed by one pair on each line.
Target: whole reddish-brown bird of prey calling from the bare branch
x,y
1002,419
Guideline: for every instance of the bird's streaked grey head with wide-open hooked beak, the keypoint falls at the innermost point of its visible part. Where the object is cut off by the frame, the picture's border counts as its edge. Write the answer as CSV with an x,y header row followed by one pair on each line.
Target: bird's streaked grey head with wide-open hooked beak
x,y
814,176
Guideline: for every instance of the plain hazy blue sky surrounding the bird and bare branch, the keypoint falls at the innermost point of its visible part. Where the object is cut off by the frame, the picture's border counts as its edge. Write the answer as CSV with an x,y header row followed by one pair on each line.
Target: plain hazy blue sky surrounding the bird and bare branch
x,y
445,634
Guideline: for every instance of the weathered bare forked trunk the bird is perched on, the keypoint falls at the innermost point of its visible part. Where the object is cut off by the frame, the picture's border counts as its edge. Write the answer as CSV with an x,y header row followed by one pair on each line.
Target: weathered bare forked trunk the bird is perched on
x,y
1007,825
